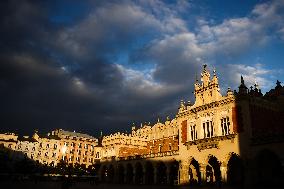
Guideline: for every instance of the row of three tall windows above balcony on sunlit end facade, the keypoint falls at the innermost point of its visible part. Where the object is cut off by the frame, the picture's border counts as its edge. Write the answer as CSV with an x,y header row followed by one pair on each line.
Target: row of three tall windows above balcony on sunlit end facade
x,y
208,129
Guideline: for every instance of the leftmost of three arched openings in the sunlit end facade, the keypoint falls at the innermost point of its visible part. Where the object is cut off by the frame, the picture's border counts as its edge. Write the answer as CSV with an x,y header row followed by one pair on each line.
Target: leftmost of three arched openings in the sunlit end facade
x,y
194,173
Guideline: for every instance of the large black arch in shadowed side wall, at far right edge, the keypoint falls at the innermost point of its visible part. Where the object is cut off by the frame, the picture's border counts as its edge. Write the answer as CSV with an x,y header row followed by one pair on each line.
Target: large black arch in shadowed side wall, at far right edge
x,y
268,169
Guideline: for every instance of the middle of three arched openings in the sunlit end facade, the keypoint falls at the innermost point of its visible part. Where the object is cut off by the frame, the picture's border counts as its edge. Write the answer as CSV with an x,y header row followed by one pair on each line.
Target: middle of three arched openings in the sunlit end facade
x,y
213,172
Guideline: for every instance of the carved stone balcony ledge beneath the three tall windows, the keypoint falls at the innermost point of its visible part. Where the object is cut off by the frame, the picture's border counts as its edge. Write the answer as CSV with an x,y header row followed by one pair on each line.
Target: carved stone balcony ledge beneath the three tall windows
x,y
208,143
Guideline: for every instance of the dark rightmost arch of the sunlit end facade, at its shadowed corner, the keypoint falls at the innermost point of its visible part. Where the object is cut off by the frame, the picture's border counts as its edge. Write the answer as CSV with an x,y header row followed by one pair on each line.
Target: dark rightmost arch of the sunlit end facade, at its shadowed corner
x,y
235,171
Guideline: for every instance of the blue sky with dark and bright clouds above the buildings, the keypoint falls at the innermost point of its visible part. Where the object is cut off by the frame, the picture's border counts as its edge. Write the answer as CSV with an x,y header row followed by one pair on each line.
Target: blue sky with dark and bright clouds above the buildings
x,y
94,66
